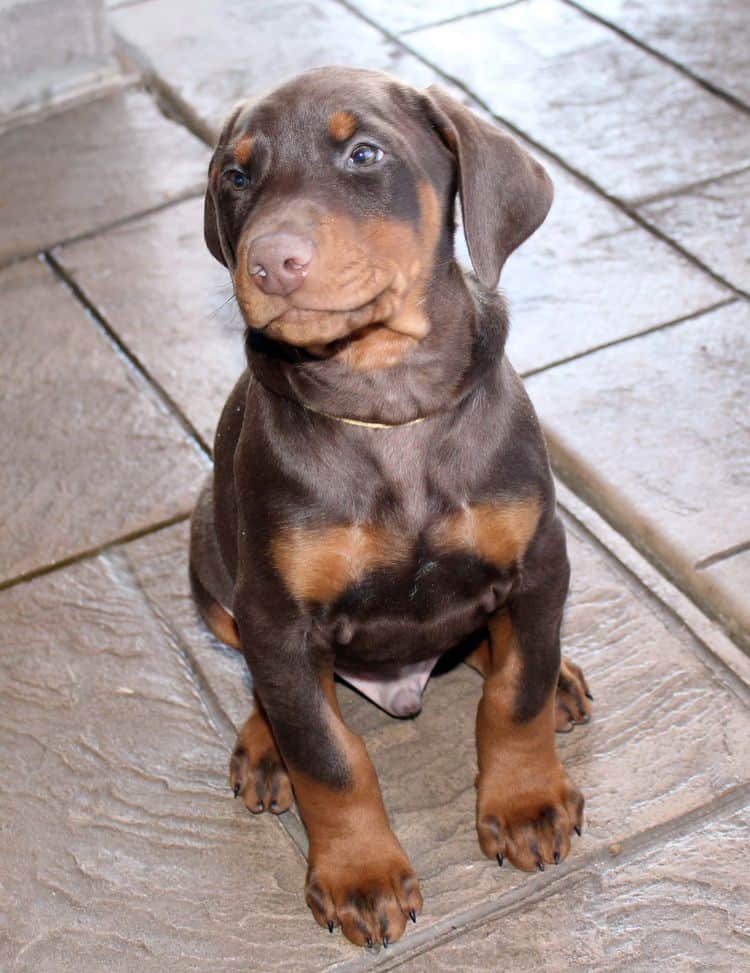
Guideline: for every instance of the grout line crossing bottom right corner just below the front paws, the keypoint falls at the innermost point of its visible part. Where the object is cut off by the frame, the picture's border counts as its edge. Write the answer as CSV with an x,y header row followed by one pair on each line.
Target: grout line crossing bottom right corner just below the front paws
x,y
521,897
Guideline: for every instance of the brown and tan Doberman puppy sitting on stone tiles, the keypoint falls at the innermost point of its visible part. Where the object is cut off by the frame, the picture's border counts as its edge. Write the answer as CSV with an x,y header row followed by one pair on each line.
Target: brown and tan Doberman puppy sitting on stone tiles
x,y
381,490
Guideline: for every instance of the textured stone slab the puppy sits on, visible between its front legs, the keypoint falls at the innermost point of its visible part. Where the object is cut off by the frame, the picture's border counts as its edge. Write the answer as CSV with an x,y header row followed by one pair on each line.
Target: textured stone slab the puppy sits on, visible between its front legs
x,y
655,749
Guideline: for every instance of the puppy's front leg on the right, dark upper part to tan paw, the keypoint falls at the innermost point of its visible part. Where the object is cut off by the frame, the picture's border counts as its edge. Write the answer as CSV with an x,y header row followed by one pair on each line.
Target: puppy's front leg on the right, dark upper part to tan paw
x,y
527,806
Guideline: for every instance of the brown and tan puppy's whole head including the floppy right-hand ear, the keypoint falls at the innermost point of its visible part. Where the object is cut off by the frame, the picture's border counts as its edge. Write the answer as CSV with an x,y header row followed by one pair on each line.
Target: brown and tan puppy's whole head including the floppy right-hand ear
x,y
331,203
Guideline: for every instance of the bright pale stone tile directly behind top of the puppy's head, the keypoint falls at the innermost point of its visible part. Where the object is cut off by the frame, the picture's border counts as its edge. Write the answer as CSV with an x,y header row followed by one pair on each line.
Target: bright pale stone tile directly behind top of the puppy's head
x,y
224,52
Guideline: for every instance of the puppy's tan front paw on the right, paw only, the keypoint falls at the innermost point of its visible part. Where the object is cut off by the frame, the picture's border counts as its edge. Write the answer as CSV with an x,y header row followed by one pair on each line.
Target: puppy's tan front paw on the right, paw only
x,y
530,825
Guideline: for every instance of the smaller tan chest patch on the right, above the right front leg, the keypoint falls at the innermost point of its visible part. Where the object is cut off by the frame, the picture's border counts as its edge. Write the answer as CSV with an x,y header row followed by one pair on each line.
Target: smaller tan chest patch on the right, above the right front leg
x,y
497,533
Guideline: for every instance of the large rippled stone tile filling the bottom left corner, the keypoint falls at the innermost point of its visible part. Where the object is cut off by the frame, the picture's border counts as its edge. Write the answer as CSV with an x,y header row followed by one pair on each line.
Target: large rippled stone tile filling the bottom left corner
x,y
120,848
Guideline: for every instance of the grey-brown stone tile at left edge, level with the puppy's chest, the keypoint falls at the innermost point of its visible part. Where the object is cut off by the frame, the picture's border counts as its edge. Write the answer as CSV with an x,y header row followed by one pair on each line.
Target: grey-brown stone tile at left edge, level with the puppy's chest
x,y
89,453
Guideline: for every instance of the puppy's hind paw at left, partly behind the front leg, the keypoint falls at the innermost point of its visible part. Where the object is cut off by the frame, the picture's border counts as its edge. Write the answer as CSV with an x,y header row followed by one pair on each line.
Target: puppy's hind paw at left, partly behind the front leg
x,y
256,770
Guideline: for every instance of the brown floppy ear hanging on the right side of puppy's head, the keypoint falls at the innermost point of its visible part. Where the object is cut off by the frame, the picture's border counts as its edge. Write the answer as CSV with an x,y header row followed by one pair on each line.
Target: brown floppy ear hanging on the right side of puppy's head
x,y
505,193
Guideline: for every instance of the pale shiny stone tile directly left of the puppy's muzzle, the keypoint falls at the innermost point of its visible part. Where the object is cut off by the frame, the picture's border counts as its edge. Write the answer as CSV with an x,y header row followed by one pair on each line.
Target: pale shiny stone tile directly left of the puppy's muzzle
x,y
158,286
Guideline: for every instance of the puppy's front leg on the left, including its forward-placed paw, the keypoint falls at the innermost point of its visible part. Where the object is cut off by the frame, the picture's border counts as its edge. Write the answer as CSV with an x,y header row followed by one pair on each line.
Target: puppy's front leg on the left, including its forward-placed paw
x,y
358,874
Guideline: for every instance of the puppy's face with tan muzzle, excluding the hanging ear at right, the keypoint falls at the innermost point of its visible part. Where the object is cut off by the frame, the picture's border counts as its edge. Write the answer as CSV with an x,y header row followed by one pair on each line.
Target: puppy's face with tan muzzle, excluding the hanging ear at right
x,y
329,200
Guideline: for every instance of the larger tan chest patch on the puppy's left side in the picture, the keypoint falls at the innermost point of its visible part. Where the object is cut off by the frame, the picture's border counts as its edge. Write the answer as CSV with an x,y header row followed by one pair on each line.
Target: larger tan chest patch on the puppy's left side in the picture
x,y
319,564
